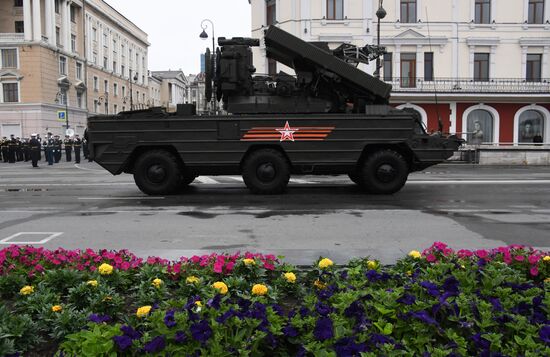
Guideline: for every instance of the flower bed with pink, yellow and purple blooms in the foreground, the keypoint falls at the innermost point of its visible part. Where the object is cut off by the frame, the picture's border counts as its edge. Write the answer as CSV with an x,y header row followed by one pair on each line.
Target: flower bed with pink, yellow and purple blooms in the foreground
x,y
438,302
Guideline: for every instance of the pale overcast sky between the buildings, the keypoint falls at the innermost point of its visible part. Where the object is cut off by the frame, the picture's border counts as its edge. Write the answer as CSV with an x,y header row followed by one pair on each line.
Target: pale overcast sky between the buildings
x,y
174,26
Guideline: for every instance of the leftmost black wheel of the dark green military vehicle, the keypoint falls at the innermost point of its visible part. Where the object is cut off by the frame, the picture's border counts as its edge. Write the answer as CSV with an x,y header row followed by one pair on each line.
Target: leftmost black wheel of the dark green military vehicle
x,y
158,172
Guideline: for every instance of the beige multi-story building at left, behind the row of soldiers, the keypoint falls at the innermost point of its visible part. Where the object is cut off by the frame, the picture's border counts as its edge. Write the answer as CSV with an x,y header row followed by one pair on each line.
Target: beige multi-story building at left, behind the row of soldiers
x,y
75,56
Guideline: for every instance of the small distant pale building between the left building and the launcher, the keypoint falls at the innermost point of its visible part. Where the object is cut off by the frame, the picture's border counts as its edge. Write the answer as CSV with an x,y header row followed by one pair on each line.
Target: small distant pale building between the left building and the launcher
x,y
173,88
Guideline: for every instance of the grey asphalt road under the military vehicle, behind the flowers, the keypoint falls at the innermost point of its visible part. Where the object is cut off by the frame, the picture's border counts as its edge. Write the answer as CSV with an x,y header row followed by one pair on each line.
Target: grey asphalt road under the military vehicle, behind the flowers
x,y
467,206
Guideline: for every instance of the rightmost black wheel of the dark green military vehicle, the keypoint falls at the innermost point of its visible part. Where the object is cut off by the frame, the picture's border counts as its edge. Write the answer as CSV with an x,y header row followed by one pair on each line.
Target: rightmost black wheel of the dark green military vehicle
x,y
384,172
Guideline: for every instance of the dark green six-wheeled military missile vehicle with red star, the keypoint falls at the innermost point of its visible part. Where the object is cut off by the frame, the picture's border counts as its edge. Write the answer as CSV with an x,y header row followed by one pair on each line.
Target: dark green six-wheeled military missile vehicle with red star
x,y
328,118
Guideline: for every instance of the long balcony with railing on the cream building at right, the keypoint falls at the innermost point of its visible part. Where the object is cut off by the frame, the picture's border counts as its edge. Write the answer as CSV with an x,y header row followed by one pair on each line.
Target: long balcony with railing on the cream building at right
x,y
470,86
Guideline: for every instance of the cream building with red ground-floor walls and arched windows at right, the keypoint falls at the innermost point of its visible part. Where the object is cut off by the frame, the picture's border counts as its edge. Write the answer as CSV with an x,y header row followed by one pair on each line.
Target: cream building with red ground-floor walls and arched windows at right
x,y
486,67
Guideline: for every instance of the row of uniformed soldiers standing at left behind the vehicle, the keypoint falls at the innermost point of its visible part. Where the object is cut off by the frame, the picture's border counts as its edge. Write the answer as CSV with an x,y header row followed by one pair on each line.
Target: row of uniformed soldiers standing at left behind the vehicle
x,y
14,149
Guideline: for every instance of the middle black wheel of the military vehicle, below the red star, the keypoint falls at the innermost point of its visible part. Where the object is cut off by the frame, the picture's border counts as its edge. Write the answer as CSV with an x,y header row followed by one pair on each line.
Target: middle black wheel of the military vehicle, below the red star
x,y
266,172
